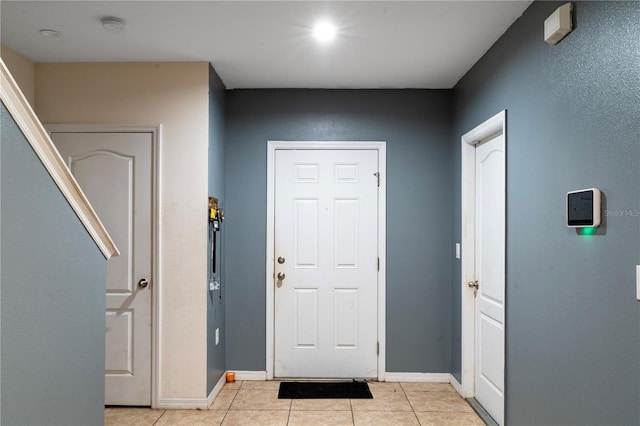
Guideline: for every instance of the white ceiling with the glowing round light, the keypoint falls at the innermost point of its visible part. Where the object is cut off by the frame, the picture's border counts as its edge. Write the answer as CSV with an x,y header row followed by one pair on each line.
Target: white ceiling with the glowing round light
x,y
267,44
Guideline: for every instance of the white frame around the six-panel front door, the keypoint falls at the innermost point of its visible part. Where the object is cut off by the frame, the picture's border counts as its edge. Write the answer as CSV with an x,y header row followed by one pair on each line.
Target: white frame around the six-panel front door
x,y
272,146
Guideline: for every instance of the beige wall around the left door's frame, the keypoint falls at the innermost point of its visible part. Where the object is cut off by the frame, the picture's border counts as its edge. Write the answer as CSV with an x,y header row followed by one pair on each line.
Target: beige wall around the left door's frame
x,y
174,95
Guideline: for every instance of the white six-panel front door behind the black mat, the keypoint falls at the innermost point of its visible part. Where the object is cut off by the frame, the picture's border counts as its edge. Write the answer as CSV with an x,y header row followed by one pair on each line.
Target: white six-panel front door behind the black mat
x,y
326,263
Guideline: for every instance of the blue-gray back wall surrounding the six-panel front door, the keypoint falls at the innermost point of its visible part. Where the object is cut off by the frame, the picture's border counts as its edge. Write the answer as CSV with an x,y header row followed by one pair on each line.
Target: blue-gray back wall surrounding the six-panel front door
x,y
416,124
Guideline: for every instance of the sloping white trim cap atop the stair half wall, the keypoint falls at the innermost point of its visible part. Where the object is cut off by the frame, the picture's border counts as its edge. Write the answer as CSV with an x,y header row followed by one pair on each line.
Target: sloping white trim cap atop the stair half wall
x,y
39,139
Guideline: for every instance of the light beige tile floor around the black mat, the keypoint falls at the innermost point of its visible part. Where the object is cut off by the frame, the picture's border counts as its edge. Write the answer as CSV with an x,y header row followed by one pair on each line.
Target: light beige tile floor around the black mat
x,y
256,403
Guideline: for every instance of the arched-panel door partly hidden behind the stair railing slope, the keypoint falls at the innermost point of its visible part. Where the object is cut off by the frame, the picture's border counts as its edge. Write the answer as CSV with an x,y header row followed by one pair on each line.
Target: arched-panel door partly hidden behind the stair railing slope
x,y
114,172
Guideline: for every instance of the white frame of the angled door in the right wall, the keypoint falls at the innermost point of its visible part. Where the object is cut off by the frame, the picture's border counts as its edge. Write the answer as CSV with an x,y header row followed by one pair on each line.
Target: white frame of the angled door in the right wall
x,y
494,126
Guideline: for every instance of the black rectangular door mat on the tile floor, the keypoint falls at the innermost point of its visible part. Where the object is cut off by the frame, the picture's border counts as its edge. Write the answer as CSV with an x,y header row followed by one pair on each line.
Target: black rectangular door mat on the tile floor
x,y
324,390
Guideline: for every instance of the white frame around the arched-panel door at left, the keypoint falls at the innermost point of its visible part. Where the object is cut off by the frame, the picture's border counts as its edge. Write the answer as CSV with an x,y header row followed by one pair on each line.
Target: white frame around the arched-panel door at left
x,y
155,287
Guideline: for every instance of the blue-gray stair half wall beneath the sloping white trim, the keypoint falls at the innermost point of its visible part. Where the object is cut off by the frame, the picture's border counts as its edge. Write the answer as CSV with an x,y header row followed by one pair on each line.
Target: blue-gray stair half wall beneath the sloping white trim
x,y
52,289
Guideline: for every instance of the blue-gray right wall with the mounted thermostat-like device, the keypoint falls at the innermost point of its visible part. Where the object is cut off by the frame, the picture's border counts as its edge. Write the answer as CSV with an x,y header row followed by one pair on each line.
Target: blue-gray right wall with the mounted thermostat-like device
x,y
573,323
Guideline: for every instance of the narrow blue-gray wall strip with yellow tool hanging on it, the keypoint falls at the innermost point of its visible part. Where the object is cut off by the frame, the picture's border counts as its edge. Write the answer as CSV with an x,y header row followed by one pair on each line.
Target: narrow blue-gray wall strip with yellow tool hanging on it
x,y
215,302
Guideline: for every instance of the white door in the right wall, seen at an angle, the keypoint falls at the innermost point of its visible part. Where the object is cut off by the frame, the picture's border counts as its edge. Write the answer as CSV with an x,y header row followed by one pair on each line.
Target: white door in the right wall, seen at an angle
x,y
490,273
